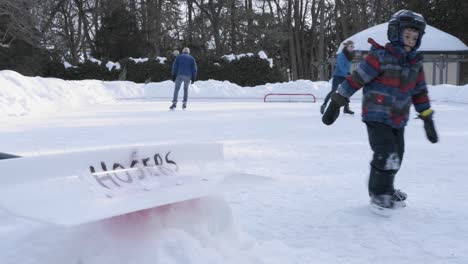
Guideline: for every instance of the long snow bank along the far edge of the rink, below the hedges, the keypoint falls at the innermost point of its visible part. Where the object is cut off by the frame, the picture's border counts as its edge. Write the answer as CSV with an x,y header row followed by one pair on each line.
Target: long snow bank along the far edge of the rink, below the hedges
x,y
22,95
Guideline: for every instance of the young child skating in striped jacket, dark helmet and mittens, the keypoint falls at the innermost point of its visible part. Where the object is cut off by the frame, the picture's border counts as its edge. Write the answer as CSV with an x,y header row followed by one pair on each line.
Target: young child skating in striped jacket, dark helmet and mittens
x,y
393,79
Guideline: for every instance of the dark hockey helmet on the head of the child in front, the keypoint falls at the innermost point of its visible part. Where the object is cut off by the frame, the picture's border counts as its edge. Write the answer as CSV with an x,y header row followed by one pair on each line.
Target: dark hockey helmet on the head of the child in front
x,y
405,19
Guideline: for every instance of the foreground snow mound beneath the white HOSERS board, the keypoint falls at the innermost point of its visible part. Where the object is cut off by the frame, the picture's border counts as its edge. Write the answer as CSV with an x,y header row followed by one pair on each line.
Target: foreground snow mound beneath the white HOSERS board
x,y
158,235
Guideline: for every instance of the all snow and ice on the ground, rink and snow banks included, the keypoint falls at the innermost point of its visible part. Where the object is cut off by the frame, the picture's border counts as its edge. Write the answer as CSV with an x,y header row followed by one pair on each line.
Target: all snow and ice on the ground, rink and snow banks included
x,y
313,211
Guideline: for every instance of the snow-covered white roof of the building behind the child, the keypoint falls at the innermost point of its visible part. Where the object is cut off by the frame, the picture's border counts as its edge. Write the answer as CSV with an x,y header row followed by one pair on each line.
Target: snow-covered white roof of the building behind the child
x,y
433,40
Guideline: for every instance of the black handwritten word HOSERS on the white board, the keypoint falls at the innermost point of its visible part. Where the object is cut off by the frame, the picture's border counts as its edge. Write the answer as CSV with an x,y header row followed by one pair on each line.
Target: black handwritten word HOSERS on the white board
x,y
138,174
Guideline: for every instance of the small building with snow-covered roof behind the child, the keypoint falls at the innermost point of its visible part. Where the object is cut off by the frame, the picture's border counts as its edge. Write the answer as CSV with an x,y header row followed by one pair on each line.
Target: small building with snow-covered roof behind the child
x,y
443,53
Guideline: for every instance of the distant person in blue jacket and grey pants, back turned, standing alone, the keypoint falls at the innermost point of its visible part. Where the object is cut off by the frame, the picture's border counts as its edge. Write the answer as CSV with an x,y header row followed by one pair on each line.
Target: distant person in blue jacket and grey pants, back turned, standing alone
x,y
184,70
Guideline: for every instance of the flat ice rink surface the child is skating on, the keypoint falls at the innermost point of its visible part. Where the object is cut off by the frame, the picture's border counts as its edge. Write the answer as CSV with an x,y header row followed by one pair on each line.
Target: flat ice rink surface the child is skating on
x,y
315,207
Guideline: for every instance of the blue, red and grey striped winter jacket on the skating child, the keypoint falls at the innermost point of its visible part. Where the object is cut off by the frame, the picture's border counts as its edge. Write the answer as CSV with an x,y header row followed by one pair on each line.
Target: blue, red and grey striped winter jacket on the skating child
x,y
393,80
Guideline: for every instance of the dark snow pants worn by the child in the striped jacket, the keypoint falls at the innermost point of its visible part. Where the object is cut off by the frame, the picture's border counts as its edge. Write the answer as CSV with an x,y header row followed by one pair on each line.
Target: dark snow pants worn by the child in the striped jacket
x,y
388,145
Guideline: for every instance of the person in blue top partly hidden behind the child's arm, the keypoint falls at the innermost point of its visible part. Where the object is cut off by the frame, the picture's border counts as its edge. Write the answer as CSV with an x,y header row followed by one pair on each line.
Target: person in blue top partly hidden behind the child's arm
x,y
343,64
